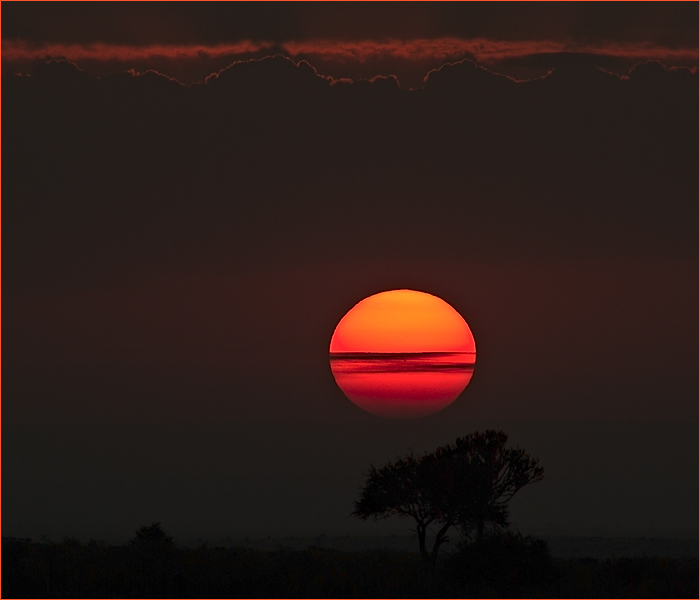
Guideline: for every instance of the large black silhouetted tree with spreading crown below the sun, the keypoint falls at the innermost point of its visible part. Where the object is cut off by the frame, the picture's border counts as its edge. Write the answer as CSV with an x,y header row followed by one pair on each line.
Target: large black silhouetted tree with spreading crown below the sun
x,y
466,484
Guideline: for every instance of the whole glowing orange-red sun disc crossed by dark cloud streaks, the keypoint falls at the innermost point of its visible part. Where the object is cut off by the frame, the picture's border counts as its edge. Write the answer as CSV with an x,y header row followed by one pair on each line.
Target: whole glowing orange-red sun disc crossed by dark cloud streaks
x,y
402,354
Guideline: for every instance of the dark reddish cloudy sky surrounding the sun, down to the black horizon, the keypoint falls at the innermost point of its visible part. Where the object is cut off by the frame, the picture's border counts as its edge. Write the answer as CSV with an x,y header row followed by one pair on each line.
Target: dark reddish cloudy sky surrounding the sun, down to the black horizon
x,y
195,194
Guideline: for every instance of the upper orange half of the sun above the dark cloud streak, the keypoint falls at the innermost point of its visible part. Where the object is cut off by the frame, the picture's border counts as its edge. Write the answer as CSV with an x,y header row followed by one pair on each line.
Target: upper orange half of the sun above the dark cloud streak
x,y
402,321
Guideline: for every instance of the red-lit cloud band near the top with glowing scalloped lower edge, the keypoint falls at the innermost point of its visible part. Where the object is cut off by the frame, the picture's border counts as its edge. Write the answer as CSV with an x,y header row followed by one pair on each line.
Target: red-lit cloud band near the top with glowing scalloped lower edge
x,y
409,59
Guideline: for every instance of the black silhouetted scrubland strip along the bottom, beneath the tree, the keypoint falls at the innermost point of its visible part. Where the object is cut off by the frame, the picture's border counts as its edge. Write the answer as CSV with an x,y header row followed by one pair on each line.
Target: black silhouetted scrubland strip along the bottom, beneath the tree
x,y
512,567
